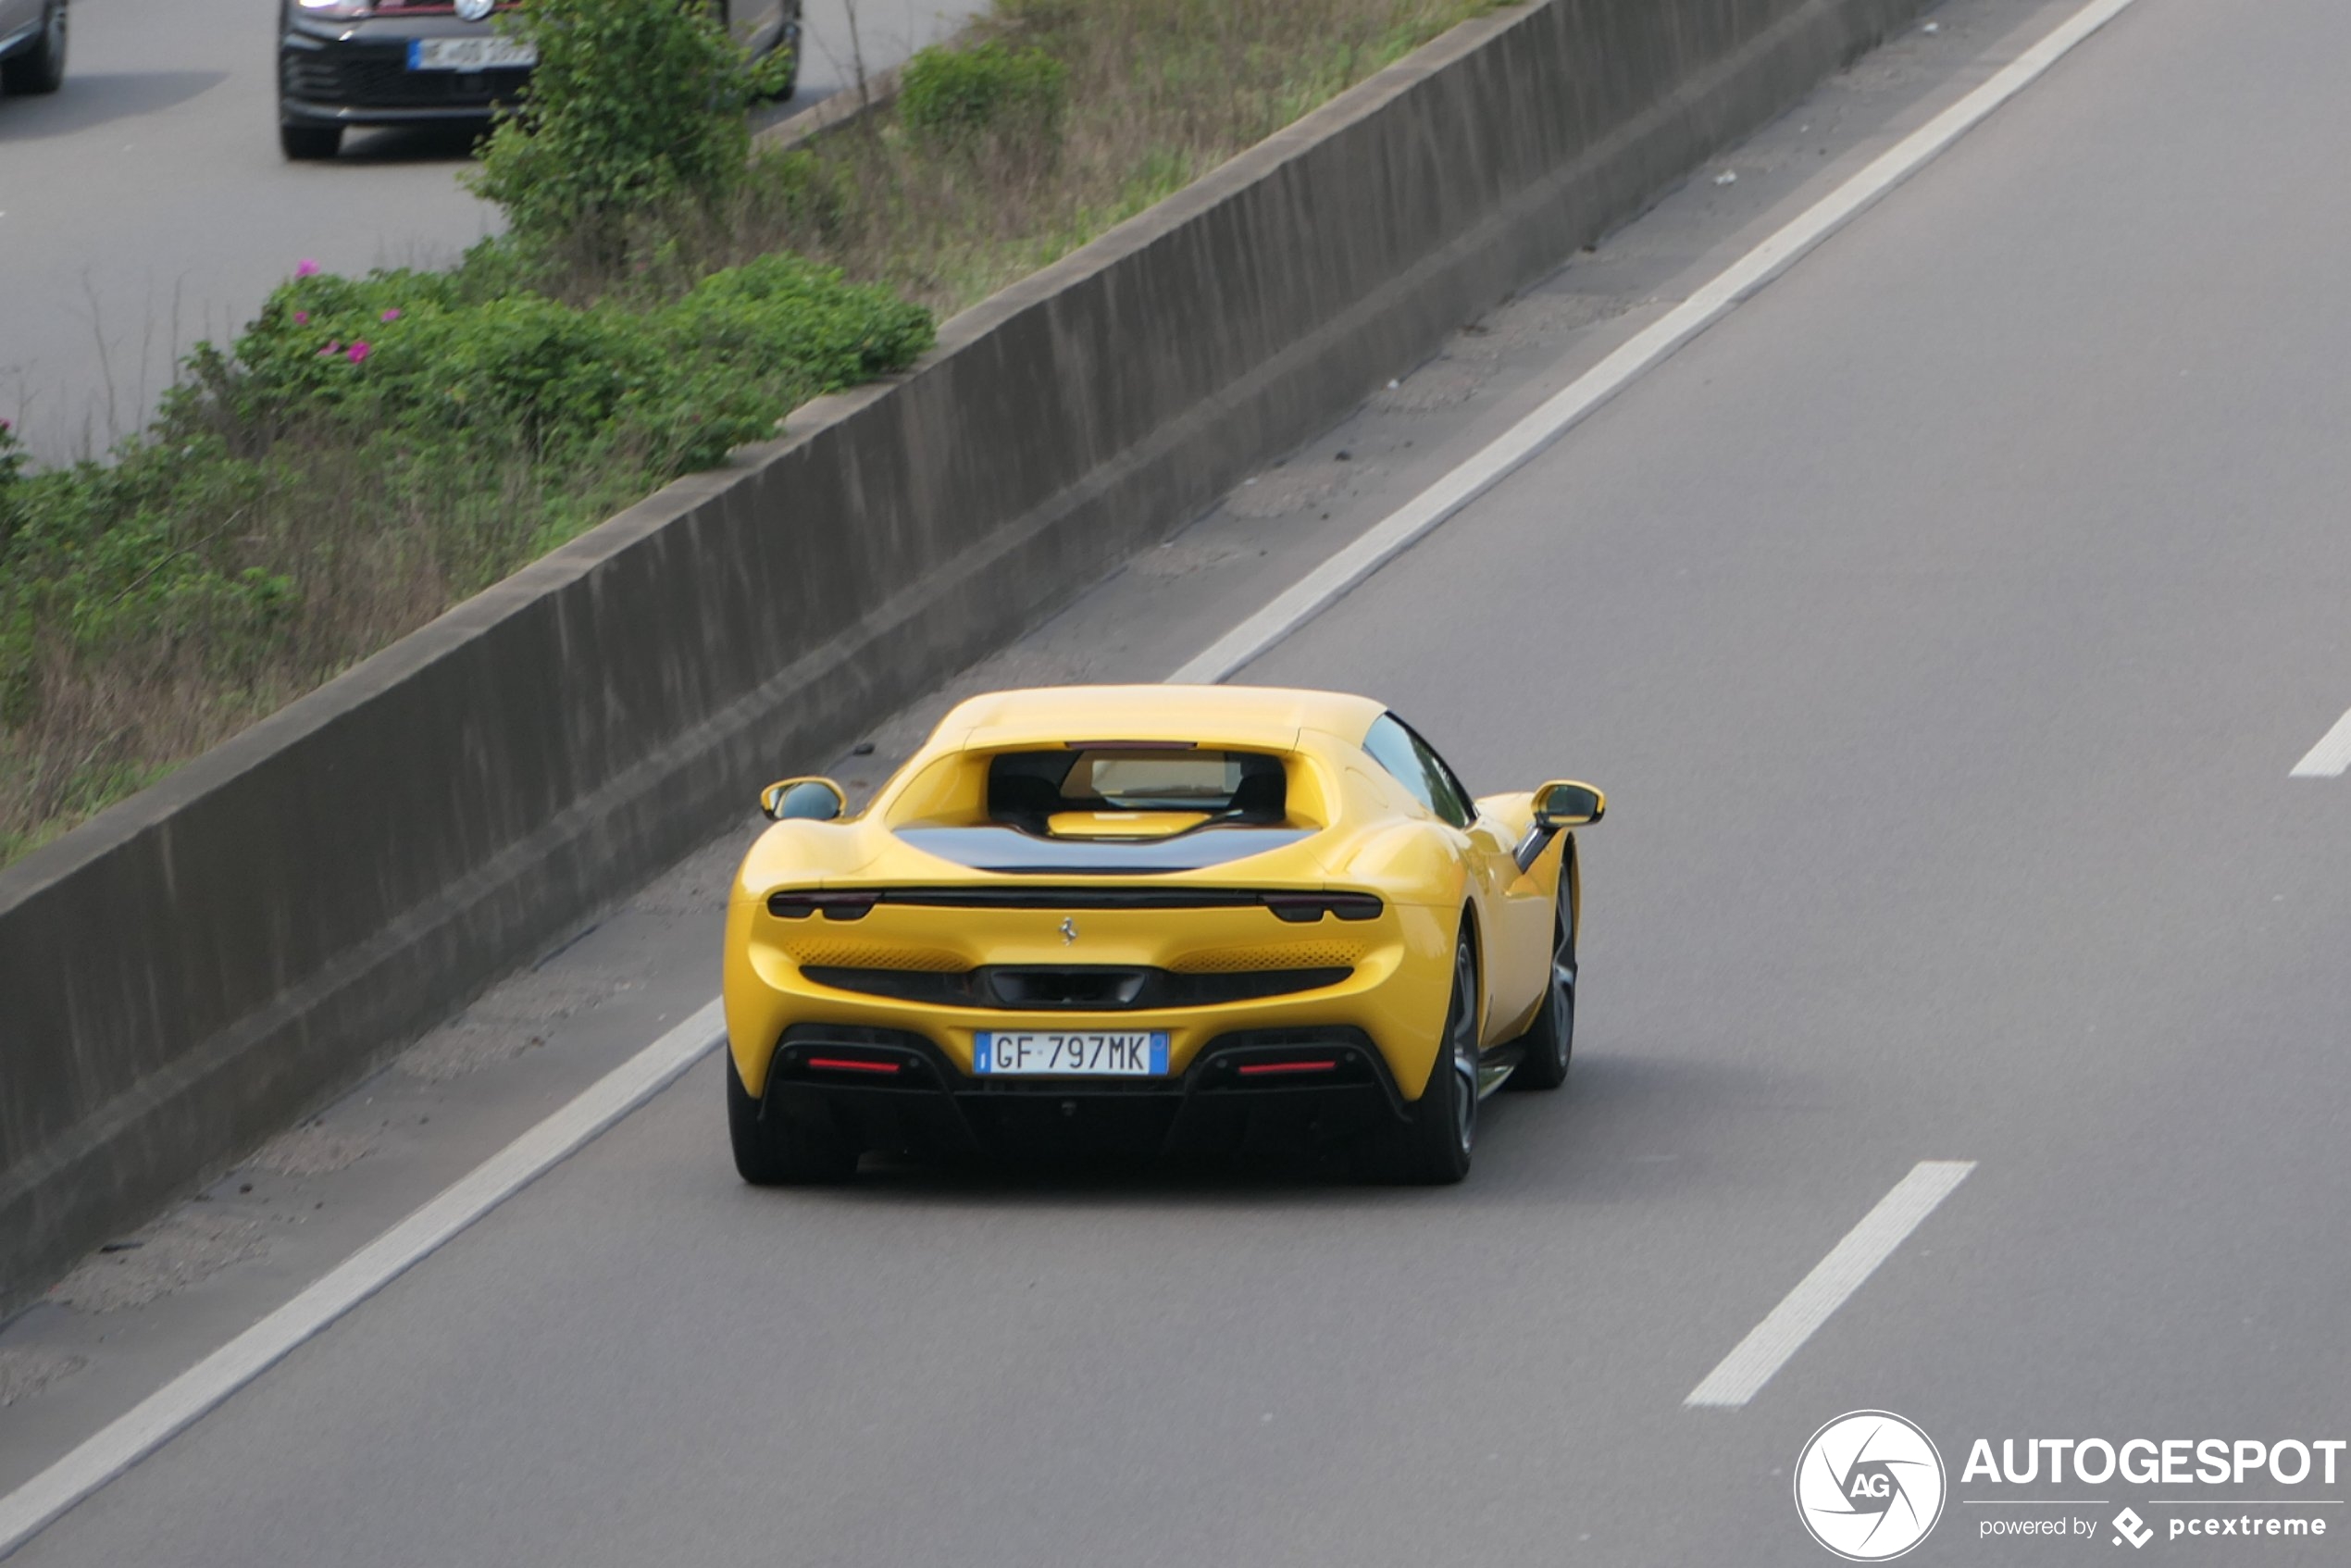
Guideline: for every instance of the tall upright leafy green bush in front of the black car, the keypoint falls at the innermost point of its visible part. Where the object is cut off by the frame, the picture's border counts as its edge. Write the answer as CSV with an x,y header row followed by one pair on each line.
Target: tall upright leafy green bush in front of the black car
x,y
634,109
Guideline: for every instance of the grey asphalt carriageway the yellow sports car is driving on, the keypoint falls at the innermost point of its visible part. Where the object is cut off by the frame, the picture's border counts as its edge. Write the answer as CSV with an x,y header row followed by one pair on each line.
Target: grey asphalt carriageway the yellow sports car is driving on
x,y
1945,626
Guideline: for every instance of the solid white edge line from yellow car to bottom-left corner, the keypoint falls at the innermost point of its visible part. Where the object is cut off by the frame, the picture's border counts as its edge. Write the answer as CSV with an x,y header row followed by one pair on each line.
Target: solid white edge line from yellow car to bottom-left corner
x,y
375,1266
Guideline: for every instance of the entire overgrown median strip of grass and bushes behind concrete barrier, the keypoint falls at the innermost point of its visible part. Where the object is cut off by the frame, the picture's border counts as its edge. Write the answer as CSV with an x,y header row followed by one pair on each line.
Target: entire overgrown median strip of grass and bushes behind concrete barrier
x,y
375,450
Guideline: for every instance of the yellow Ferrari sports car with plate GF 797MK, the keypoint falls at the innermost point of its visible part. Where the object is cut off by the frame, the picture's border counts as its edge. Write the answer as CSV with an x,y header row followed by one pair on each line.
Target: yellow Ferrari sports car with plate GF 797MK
x,y
1151,918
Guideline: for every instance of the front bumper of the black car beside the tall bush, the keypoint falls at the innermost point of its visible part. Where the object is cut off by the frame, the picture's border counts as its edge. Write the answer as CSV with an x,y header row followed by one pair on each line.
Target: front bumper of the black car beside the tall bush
x,y
359,74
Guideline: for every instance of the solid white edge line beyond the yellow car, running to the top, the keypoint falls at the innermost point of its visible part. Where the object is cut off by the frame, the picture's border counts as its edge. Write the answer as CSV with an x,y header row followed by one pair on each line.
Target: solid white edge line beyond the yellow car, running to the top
x,y
1402,528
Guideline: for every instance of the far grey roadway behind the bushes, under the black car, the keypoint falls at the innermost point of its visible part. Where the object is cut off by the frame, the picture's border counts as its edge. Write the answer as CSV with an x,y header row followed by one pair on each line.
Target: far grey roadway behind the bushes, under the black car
x,y
147,203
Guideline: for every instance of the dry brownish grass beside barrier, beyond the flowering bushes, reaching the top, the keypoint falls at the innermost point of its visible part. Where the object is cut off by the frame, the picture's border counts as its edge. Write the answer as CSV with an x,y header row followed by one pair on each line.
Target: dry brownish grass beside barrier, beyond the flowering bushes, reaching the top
x,y
986,175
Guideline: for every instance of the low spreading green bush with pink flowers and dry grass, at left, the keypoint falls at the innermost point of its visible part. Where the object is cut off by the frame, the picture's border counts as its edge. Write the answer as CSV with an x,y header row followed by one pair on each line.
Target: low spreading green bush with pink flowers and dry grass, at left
x,y
368,453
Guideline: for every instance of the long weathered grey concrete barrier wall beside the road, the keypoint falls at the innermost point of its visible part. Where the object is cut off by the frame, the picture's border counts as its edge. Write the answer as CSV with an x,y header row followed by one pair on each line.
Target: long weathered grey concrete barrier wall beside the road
x,y
192,970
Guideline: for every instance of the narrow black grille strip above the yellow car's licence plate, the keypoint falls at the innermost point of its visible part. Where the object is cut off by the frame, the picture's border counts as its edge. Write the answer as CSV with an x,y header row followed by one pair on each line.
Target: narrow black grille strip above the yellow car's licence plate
x,y
1092,989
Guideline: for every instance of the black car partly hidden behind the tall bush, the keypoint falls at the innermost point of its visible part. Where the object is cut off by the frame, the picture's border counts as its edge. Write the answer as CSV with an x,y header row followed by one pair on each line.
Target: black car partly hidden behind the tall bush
x,y
413,62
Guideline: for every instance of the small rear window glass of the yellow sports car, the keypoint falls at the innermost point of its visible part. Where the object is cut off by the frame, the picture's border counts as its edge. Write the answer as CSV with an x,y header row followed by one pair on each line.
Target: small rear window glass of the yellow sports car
x,y
1026,786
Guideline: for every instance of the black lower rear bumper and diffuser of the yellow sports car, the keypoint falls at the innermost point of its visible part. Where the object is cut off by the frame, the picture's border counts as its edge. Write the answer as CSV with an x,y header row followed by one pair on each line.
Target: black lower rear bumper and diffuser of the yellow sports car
x,y
892,1090
